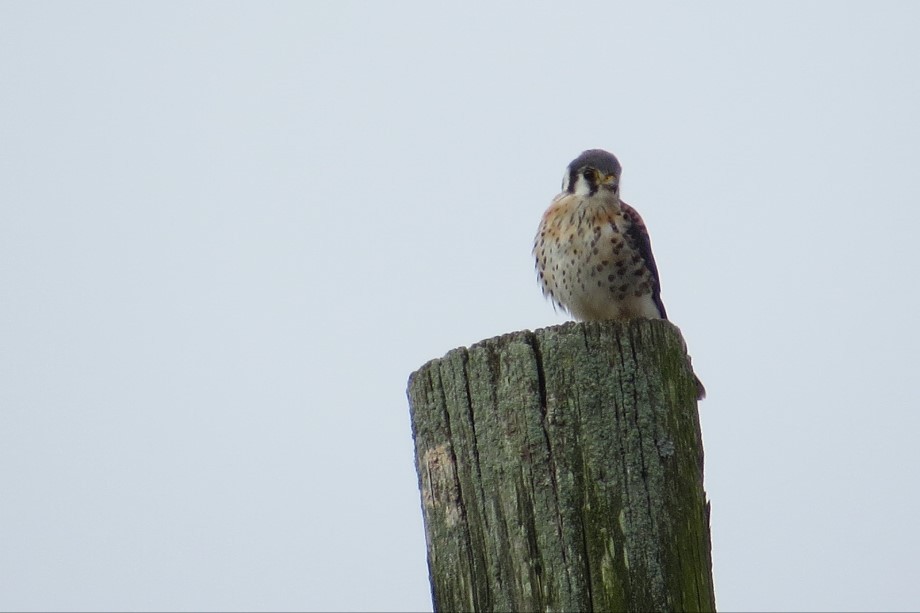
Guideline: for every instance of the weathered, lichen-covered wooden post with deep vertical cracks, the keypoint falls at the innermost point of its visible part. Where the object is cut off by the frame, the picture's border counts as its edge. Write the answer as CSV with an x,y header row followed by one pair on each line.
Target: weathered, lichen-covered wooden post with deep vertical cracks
x,y
562,470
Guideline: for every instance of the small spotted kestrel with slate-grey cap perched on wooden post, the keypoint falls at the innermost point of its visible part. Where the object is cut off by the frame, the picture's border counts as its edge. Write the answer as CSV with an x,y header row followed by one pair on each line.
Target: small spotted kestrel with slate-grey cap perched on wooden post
x,y
594,257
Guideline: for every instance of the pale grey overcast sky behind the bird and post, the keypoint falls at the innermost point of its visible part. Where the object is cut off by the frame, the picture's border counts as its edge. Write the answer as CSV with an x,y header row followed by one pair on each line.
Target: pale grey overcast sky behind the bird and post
x,y
229,232
